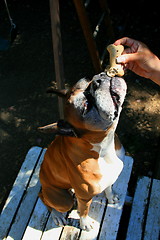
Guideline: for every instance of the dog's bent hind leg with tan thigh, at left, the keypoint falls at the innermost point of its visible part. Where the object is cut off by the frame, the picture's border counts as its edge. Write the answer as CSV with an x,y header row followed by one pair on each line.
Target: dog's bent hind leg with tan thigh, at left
x,y
58,202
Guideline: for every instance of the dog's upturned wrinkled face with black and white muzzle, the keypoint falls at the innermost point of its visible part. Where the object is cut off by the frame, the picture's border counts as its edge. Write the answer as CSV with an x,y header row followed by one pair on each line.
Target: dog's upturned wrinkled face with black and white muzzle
x,y
96,103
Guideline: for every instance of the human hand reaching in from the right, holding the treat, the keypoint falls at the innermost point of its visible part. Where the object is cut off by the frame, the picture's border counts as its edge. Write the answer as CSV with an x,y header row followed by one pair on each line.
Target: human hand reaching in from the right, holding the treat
x,y
139,59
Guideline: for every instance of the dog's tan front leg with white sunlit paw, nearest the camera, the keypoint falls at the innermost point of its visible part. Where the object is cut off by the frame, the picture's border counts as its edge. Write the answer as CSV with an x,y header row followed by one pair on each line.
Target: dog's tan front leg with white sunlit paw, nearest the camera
x,y
86,223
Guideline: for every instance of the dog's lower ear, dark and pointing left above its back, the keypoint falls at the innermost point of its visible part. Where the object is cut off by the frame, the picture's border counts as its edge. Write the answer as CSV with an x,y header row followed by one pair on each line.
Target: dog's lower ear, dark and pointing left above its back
x,y
62,127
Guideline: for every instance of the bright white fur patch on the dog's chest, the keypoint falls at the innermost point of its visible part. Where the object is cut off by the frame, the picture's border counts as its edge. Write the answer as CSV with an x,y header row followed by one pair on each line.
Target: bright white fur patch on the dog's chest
x,y
110,164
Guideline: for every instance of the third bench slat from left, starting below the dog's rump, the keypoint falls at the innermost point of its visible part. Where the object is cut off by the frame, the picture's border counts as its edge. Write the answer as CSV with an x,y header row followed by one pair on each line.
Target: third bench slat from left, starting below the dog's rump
x,y
37,222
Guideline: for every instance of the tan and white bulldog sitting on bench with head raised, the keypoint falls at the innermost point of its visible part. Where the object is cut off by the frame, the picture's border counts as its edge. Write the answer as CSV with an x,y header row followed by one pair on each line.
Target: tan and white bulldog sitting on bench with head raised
x,y
87,156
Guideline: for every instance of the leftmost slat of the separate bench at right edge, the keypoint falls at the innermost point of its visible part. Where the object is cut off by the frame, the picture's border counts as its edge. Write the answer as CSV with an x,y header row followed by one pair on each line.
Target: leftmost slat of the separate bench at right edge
x,y
138,209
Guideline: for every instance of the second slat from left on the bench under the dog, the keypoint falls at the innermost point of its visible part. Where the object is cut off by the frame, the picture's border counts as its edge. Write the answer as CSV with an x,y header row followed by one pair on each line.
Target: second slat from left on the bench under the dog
x,y
27,204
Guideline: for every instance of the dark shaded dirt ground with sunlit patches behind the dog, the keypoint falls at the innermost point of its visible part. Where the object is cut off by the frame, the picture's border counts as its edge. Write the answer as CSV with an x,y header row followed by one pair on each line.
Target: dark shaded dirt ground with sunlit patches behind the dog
x,y
27,69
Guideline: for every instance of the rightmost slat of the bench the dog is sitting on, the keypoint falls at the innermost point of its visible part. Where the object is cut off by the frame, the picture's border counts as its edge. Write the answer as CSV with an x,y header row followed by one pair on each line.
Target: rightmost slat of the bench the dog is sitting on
x,y
114,211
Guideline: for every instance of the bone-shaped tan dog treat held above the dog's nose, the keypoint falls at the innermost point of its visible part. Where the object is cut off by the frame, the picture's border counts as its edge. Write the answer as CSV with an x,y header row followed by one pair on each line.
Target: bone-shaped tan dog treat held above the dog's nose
x,y
114,68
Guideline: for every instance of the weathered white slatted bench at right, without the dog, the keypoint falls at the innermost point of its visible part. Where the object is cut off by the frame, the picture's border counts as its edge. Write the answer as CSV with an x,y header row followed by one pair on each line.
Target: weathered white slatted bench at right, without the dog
x,y
145,215
